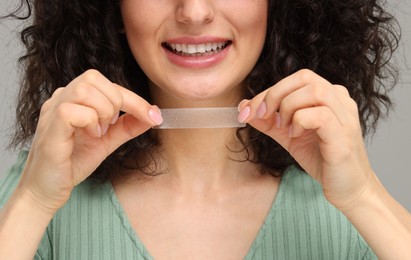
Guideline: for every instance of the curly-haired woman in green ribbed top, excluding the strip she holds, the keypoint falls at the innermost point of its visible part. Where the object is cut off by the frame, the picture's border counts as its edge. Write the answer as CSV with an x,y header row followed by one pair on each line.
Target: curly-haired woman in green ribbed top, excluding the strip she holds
x,y
99,183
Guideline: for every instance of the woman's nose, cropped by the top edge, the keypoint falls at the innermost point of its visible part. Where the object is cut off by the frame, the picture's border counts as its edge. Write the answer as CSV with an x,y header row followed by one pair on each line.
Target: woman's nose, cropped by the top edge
x,y
195,12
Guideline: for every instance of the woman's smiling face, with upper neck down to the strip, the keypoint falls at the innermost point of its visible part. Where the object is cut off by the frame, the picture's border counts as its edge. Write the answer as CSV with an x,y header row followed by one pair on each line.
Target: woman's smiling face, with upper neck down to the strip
x,y
195,52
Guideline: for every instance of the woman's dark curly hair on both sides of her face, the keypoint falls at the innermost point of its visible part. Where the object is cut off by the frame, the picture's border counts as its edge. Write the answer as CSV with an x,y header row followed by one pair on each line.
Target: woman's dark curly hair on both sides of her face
x,y
348,42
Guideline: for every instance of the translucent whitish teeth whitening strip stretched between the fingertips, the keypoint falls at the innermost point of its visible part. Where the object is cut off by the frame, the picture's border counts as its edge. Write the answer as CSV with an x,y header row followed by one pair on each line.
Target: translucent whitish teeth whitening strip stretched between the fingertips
x,y
215,117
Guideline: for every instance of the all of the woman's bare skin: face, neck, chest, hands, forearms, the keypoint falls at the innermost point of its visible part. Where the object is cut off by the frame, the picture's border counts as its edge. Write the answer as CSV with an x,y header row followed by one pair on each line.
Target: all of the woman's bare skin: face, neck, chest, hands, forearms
x,y
79,126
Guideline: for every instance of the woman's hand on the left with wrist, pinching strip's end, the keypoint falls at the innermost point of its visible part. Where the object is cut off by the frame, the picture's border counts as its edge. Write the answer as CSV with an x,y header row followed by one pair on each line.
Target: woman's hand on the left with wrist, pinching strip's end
x,y
79,126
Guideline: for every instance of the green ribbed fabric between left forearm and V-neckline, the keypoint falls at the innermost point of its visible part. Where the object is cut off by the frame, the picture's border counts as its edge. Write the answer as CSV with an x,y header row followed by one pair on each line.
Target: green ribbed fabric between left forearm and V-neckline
x,y
92,225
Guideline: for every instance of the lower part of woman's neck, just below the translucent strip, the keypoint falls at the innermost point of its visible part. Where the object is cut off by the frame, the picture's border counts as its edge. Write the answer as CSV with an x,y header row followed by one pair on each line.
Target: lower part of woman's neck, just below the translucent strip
x,y
204,159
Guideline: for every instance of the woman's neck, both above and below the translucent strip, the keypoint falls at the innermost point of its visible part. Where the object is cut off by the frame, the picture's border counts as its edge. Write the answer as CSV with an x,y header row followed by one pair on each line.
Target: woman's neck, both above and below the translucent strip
x,y
202,159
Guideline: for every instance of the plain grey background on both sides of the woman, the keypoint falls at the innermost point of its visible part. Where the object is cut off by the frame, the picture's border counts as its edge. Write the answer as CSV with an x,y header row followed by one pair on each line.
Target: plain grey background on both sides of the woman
x,y
388,149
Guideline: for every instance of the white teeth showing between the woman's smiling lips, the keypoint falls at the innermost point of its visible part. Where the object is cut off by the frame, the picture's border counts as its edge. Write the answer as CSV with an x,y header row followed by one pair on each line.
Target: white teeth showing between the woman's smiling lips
x,y
203,49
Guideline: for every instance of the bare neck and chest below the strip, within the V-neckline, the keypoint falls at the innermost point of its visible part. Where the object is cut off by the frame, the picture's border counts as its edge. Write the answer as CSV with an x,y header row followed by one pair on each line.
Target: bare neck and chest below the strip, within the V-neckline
x,y
203,204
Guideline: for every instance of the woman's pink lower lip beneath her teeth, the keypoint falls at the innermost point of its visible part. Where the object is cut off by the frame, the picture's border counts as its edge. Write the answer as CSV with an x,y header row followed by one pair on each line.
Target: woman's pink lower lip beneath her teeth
x,y
197,61
